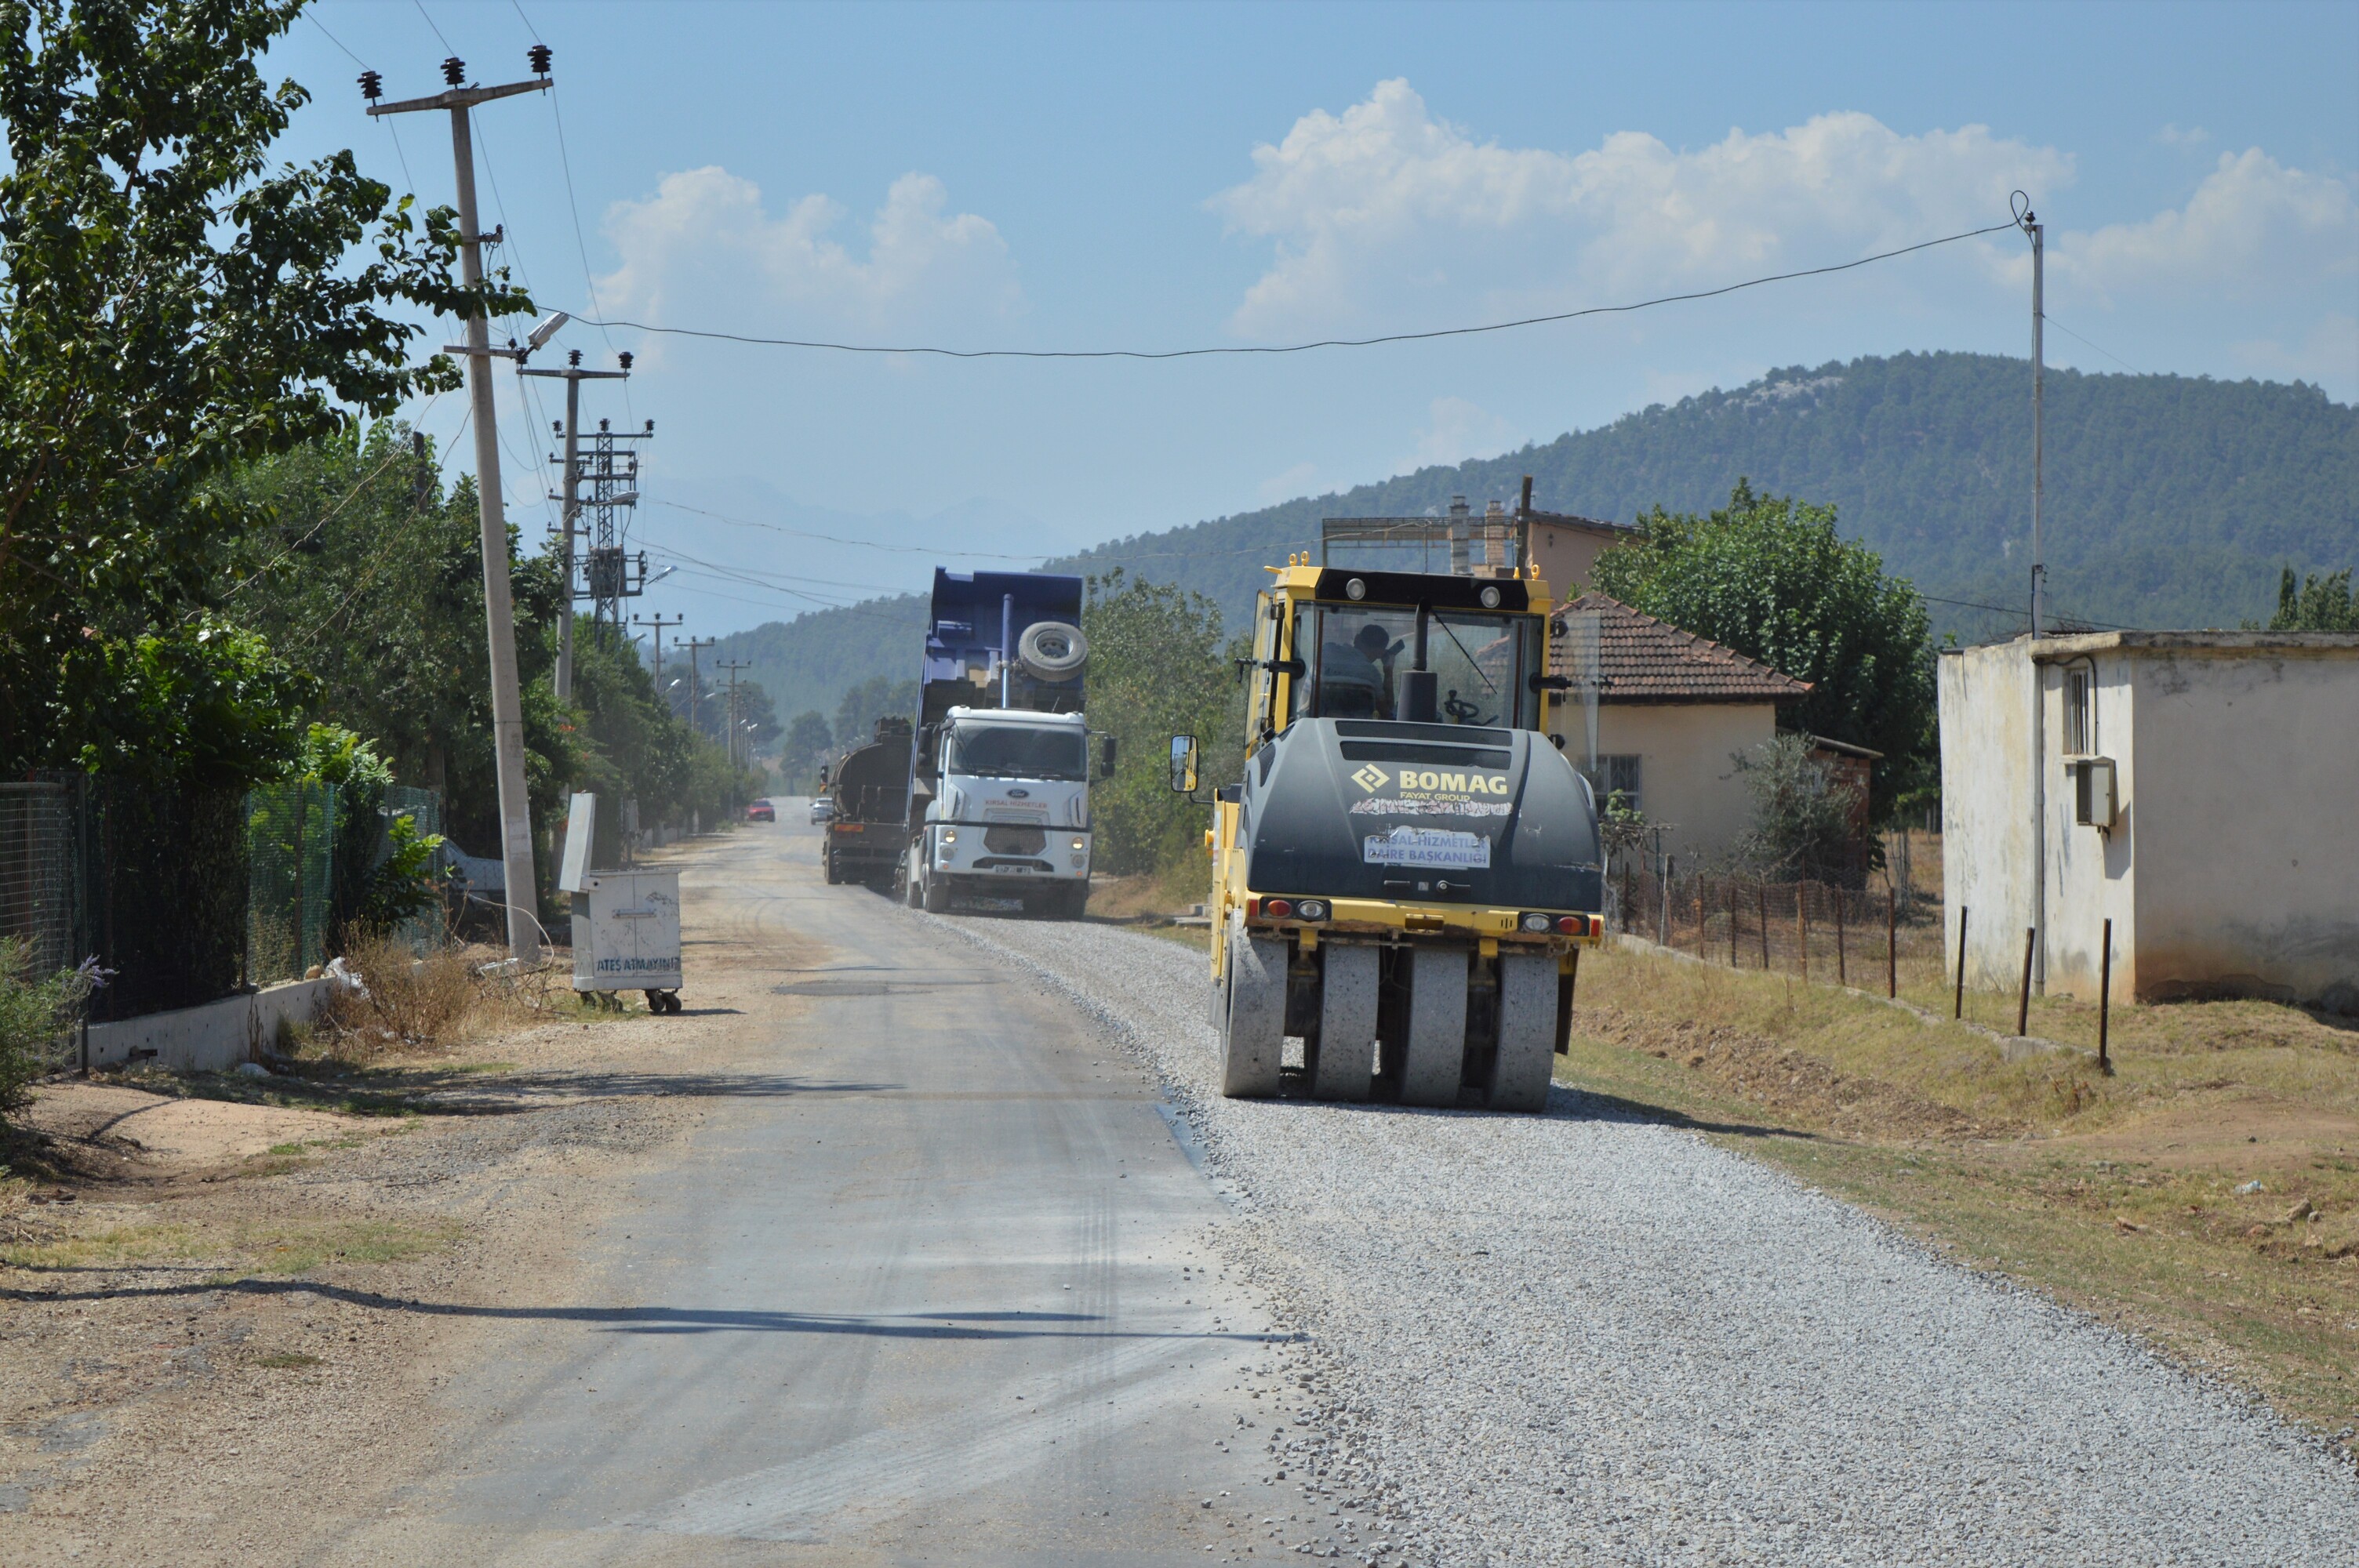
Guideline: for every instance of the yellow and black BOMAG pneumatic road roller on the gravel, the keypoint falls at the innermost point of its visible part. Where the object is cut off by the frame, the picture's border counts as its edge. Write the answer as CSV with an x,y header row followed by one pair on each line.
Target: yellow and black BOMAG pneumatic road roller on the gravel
x,y
1410,869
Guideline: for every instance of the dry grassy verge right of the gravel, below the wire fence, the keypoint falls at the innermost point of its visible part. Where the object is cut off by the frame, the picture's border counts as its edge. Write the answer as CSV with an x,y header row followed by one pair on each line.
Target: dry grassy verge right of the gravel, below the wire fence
x,y
2204,1197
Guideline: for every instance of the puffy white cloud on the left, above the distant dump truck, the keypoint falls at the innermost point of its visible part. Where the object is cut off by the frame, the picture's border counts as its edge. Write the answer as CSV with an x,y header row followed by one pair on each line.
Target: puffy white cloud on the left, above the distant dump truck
x,y
704,249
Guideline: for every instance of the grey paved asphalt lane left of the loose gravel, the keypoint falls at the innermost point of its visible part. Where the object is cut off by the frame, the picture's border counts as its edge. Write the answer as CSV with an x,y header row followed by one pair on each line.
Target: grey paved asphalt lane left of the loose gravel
x,y
926,1296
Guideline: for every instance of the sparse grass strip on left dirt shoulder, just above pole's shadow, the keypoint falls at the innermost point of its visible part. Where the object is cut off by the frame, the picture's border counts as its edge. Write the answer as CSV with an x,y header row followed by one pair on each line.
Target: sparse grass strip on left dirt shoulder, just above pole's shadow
x,y
72,1244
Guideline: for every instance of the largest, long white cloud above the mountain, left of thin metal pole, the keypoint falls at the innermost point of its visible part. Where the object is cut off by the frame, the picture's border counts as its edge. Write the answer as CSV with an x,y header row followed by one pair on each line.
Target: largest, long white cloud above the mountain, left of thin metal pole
x,y
1388,209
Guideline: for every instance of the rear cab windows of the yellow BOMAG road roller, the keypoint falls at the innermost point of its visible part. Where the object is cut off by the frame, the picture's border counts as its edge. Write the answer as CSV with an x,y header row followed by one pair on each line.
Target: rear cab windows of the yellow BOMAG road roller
x,y
1358,657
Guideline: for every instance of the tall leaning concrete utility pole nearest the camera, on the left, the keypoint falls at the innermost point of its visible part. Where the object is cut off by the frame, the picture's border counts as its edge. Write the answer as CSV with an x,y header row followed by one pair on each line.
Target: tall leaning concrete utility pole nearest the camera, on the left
x,y
499,612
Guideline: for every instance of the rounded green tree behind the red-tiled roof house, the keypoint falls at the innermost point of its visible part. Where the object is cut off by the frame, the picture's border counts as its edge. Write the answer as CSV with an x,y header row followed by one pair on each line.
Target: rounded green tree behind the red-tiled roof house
x,y
1773,579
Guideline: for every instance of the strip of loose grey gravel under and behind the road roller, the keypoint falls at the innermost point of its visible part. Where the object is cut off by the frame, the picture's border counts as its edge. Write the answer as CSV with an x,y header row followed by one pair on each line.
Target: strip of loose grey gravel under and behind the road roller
x,y
1596,1340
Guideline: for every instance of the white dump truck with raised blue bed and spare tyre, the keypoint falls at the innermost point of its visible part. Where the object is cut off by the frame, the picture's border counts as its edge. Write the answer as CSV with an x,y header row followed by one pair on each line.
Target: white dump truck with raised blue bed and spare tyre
x,y
999,798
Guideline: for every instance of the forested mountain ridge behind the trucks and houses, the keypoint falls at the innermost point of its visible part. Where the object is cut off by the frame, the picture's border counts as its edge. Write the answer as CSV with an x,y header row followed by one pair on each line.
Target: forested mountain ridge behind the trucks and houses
x,y
2169,501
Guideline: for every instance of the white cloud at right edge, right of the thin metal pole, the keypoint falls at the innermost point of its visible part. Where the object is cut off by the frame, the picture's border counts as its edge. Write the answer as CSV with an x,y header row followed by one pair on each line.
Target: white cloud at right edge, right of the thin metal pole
x,y
2254,230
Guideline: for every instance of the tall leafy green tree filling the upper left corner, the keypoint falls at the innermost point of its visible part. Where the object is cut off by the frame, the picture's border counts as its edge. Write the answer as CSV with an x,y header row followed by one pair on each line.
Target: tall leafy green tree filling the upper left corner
x,y
173,308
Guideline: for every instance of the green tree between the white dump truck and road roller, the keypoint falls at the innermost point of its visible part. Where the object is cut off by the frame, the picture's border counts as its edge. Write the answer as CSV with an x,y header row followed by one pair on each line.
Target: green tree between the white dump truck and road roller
x,y
1157,668
